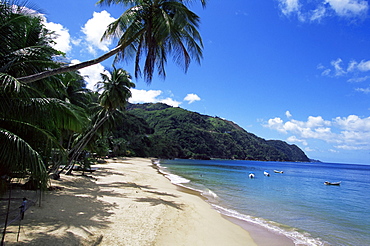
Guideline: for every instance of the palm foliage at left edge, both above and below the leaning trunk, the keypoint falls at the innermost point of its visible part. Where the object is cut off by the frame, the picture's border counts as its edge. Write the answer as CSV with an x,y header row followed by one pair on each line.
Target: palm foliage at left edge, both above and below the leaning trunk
x,y
30,120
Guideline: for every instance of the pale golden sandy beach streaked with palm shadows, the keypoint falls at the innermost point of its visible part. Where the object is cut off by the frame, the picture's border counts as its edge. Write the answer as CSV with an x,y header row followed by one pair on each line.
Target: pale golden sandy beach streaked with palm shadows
x,y
124,202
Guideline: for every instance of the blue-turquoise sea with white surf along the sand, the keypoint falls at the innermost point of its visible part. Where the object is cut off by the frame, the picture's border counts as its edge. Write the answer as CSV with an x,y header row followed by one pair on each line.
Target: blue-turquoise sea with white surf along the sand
x,y
295,203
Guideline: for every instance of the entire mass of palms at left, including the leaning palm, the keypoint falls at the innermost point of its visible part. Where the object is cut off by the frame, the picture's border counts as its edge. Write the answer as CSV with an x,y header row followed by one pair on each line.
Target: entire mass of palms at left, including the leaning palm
x,y
48,119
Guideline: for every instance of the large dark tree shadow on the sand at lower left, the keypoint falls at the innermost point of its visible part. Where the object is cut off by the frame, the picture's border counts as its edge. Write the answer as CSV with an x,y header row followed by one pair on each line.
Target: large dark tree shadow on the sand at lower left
x,y
74,206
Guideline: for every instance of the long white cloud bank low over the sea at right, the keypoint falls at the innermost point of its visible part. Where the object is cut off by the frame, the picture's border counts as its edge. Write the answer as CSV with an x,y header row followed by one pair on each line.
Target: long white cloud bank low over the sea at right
x,y
351,132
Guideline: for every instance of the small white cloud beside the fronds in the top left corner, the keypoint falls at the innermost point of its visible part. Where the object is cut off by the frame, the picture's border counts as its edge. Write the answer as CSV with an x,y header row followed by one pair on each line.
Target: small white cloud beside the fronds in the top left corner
x,y
61,36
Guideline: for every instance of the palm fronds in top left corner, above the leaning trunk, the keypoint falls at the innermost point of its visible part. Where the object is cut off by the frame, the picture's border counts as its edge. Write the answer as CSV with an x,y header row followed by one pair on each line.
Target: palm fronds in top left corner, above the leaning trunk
x,y
24,43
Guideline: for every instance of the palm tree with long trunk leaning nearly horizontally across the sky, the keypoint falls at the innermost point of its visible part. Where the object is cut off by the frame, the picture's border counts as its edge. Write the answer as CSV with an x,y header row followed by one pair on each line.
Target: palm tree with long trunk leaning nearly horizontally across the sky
x,y
151,29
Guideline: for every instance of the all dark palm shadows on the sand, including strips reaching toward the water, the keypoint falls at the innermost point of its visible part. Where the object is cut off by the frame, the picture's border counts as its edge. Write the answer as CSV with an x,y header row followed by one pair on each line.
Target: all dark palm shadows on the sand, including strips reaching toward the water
x,y
77,206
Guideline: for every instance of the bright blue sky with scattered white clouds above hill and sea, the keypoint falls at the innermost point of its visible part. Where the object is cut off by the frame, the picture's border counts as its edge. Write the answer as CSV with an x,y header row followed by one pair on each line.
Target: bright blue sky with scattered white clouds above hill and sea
x,y
292,70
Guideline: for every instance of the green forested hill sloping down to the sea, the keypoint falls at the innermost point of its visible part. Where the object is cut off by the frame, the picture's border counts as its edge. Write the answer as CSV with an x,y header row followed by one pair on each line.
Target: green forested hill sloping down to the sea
x,y
163,131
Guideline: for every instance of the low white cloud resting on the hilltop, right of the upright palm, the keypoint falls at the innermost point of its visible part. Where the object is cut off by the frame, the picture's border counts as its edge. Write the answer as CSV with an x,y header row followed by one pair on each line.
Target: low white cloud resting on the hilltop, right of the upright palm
x,y
151,96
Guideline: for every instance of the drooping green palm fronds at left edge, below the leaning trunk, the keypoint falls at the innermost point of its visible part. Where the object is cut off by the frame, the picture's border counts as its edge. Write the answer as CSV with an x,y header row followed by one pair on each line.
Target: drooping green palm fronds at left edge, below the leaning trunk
x,y
29,129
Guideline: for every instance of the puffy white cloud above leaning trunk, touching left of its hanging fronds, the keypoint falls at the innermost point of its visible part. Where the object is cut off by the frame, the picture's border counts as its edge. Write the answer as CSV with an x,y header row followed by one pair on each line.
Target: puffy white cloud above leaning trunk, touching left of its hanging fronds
x,y
94,30
